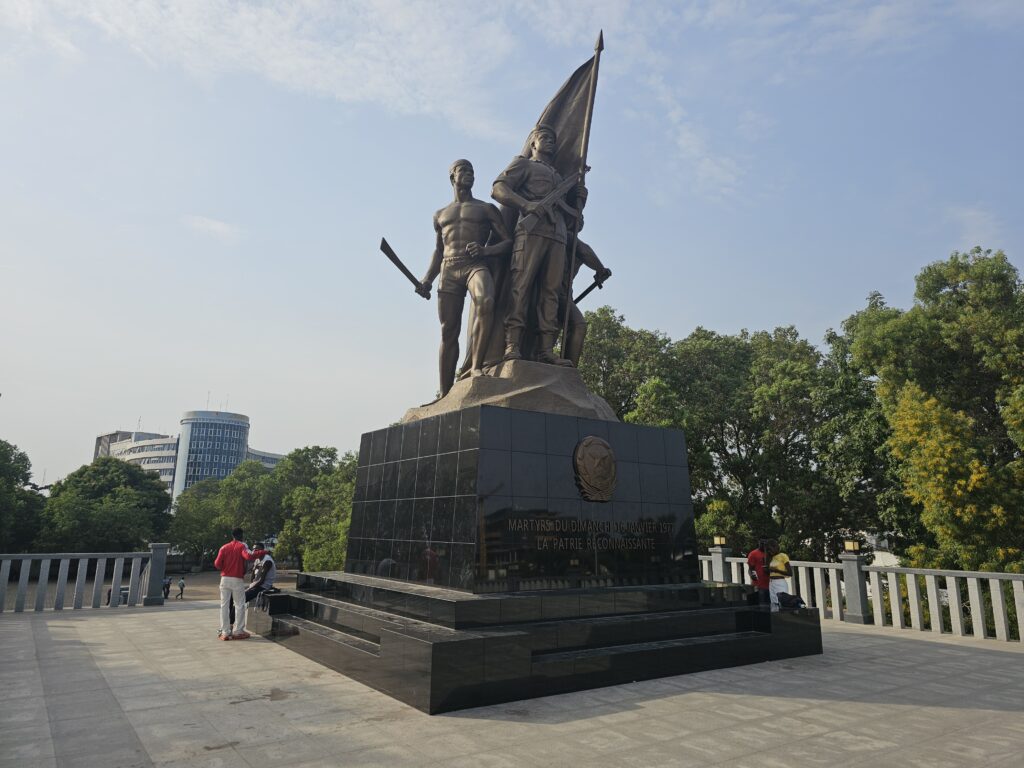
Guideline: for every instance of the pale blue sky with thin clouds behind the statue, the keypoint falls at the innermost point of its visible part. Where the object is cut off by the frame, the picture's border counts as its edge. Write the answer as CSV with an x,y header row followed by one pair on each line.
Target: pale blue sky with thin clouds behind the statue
x,y
193,194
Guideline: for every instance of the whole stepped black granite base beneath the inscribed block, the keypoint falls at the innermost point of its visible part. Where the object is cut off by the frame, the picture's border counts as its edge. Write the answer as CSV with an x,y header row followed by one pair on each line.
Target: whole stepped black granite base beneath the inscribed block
x,y
440,650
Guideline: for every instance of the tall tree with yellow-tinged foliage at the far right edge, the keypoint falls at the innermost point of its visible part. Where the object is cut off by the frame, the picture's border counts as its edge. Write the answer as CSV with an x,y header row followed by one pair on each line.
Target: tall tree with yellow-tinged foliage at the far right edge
x,y
951,380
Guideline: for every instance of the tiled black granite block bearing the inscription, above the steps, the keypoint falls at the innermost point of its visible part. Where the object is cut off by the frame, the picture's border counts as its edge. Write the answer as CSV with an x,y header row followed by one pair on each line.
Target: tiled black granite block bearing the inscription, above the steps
x,y
487,500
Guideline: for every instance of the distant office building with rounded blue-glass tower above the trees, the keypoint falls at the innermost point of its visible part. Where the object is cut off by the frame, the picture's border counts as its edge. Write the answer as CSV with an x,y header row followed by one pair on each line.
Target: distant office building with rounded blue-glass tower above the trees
x,y
212,444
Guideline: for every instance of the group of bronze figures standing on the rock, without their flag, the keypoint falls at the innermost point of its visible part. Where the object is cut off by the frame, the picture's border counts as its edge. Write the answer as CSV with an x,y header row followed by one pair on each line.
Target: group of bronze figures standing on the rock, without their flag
x,y
513,263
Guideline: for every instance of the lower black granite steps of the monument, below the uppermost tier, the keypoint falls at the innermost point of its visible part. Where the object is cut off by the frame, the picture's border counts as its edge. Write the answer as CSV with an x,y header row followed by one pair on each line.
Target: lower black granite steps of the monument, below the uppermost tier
x,y
440,669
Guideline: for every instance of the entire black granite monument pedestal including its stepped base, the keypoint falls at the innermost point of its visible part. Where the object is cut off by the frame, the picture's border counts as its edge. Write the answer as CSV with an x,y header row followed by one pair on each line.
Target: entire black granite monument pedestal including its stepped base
x,y
488,564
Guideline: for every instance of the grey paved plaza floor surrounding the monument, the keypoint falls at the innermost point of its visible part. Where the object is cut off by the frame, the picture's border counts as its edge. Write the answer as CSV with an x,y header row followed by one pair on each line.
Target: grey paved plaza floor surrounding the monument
x,y
154,688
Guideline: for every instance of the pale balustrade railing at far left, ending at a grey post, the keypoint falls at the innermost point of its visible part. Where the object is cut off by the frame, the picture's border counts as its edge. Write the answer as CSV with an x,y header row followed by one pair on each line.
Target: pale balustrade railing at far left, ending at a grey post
x,y
145,580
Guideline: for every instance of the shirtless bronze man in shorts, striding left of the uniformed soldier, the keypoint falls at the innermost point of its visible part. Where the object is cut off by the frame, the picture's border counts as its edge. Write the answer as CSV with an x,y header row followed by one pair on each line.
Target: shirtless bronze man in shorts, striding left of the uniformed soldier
x,y
463,229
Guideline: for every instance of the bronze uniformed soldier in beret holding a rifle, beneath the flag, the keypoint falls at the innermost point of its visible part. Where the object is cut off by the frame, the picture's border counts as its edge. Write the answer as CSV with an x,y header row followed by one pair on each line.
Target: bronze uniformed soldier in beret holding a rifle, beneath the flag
x,y
539,255
